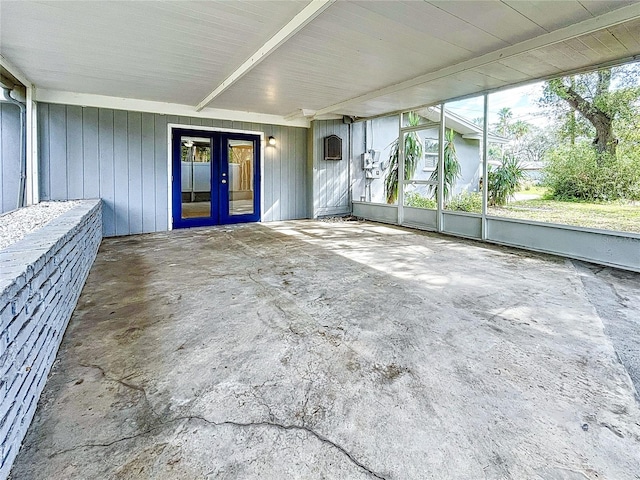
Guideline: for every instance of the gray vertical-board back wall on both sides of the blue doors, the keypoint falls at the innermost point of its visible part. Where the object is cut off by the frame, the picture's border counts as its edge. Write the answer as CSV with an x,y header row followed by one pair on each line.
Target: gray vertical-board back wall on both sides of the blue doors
x,y
121,157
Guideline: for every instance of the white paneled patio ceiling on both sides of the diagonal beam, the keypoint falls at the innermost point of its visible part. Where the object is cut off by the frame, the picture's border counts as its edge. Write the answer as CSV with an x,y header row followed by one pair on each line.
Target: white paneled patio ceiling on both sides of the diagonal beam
x,y
359,58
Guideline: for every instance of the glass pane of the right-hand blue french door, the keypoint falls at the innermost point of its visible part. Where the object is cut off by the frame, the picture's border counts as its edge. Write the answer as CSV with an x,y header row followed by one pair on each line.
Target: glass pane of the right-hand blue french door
x,y
240,177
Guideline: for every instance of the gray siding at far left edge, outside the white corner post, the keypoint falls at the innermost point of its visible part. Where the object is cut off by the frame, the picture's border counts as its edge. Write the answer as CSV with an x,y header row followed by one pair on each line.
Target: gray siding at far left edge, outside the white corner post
x,y
9,156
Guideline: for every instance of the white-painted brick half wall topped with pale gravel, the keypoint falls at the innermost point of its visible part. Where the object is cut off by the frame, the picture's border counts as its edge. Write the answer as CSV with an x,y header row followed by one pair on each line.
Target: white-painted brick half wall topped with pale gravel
x,y
41,278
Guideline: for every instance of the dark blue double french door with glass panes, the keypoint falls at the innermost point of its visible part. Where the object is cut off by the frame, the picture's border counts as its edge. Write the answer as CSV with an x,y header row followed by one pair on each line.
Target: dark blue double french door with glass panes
x,y
215,178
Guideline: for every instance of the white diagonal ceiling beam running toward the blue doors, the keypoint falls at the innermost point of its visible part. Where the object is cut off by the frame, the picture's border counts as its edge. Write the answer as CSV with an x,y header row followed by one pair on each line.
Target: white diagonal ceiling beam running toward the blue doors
x,y
308,13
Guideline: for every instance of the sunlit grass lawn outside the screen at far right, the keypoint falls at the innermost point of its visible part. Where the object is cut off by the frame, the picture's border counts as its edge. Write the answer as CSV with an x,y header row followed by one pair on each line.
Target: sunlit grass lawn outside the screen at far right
x,y
608,216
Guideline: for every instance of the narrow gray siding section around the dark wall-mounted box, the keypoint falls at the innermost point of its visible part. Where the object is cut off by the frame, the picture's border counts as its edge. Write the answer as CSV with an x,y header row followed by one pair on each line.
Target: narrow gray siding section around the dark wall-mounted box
x,y
330,177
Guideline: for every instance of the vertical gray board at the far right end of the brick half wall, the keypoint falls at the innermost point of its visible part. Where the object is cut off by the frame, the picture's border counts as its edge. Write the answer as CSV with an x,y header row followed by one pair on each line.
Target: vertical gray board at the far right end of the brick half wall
x,y
106,161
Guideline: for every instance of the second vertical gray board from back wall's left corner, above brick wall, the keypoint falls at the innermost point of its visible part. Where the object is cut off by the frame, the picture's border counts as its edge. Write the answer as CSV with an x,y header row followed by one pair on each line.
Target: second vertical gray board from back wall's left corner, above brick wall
x,y
58,152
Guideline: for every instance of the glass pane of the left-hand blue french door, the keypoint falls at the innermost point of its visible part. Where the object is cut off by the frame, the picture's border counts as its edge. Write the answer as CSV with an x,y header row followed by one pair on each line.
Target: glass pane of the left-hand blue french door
x,y
196,177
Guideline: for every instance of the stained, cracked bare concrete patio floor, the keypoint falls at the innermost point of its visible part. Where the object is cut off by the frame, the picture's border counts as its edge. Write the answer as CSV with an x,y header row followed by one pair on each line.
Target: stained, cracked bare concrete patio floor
x,y
340,350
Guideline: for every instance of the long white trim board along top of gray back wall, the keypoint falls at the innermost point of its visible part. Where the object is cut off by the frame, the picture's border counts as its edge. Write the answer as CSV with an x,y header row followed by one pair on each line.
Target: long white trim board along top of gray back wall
x,y
163,108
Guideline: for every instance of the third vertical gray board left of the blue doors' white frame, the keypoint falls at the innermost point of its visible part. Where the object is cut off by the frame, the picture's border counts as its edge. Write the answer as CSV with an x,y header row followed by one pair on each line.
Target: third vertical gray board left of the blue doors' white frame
x,y
135,172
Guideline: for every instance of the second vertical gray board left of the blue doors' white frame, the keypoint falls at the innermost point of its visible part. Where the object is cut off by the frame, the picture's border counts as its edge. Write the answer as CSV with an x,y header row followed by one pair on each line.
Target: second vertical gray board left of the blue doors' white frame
x,y
148,173
